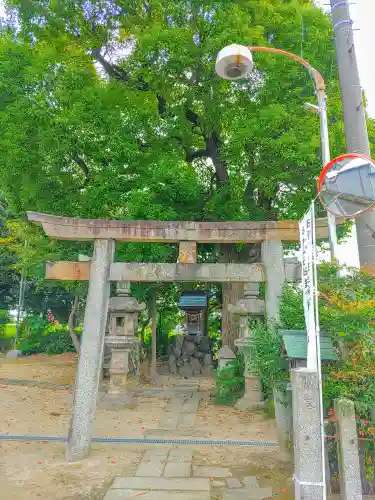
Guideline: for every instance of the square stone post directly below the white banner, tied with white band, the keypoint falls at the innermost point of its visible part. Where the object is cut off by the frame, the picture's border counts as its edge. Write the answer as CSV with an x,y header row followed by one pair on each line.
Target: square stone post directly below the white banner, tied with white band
x,y
309,480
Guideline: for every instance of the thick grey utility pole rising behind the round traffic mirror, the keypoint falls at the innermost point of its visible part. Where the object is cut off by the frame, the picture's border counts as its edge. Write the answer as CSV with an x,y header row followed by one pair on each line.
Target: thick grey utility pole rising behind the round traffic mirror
x,y
354,115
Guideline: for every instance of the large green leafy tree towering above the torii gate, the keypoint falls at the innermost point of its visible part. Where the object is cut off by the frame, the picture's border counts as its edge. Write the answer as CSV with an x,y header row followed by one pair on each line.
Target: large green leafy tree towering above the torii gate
x,y
112,109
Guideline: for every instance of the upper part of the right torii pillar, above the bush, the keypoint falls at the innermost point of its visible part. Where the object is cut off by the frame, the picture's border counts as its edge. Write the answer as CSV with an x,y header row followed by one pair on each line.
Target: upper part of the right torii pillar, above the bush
x,y
273,260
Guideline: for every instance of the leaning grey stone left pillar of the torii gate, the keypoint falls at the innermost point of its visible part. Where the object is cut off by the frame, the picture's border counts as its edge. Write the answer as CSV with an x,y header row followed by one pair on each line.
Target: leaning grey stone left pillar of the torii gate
x,y
90,360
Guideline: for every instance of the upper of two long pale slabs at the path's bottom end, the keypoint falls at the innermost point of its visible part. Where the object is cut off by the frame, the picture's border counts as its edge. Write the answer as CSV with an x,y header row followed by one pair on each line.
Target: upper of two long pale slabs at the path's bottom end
x,y
161,483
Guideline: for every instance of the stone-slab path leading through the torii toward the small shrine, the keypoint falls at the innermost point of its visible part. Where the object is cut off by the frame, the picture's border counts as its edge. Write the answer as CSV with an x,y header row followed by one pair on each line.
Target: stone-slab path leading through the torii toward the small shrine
x,y
168,474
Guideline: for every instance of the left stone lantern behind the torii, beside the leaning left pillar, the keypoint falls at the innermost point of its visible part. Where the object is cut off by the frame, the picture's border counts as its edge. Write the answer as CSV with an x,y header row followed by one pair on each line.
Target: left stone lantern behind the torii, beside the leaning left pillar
x,y
123,313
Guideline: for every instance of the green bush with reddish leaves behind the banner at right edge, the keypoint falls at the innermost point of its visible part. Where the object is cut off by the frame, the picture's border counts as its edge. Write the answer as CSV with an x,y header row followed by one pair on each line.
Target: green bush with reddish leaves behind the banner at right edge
x,y
346,311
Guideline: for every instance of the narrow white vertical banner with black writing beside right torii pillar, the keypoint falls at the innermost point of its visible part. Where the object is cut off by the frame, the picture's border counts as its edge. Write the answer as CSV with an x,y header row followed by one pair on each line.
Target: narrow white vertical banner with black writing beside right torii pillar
x,y
307,237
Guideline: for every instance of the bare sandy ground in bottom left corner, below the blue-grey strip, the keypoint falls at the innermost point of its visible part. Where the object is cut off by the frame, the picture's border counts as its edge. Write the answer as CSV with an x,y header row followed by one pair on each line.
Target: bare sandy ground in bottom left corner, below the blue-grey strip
x,y
38,470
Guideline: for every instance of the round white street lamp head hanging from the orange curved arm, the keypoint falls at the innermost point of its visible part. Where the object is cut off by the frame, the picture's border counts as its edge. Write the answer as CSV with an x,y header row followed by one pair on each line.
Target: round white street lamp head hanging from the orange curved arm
x,y
234,62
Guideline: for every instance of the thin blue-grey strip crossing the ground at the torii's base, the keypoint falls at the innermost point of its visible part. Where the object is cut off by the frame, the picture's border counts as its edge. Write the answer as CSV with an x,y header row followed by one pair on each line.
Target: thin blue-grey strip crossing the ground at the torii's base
x,y
202,442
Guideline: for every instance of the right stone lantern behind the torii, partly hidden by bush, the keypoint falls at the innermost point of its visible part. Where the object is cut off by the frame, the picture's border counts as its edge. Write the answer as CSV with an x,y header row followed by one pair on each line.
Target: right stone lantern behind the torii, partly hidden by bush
x,y
249,305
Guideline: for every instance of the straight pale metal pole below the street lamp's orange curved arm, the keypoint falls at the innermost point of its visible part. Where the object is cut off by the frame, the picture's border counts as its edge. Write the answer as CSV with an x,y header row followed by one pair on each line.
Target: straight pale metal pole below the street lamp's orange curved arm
x,y
326,157
